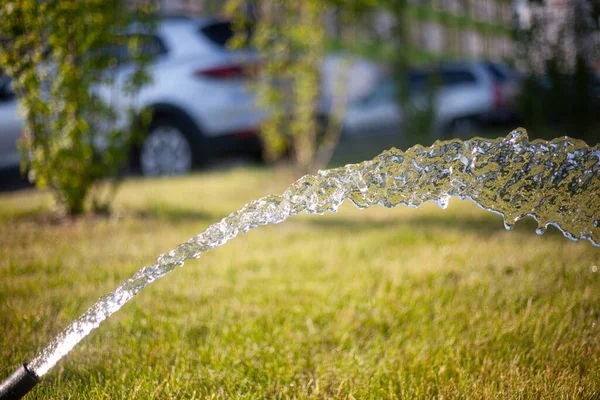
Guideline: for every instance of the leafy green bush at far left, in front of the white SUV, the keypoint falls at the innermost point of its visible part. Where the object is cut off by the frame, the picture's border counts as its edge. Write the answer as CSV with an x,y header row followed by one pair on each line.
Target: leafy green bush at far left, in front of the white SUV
x,y
56,52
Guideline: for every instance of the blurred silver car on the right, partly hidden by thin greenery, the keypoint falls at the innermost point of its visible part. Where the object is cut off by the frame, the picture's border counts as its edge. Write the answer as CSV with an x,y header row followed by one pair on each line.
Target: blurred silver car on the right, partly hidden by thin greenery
x,y
466,96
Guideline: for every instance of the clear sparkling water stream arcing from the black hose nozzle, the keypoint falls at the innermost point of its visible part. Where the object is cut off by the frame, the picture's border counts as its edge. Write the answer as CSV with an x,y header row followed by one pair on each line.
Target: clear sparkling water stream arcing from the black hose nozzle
x,y
557,183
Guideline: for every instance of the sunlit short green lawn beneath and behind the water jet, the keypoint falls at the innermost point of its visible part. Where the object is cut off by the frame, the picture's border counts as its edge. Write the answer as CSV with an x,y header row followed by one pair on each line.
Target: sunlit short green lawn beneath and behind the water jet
x,y
399,303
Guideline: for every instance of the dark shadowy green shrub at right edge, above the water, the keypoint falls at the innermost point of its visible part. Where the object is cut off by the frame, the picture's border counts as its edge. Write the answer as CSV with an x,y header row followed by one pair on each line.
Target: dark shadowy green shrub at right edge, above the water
x,y
561,90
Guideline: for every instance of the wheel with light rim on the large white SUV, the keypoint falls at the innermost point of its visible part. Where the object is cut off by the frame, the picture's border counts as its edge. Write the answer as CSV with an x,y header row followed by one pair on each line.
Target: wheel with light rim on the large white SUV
x,y
166,150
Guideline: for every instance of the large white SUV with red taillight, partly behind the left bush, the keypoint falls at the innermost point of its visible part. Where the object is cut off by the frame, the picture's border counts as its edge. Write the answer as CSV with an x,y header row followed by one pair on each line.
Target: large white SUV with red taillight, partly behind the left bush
x,y
198,97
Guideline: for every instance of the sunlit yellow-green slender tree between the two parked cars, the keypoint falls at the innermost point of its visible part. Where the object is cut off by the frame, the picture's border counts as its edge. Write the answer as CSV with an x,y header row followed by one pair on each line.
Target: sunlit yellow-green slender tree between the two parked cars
x,y
290,38
